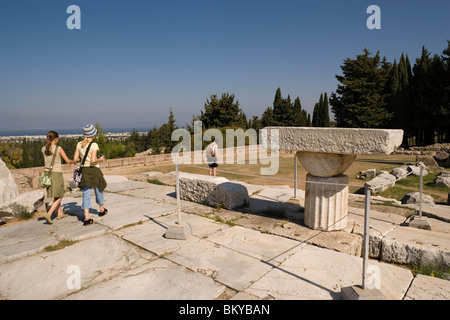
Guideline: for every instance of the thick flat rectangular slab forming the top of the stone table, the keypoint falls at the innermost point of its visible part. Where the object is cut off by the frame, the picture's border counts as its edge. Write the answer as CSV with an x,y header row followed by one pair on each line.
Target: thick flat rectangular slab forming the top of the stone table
x,y
335,140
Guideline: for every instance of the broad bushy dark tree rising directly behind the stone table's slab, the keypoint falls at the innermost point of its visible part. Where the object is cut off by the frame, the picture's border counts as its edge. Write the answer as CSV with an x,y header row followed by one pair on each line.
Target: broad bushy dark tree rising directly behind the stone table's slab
x,y
361,99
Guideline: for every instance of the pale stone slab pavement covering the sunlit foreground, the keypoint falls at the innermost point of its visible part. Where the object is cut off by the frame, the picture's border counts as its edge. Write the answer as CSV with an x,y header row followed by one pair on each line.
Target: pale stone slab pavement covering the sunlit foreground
x,y
241,255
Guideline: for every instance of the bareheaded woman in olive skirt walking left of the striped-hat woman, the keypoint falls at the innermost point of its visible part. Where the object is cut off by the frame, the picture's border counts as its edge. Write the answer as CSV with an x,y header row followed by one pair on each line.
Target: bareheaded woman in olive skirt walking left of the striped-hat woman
x,y
56,190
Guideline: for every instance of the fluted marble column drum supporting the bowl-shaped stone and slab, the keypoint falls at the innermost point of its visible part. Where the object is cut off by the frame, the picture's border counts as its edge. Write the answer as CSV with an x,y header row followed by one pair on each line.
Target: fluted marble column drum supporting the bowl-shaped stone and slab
x,y
326,204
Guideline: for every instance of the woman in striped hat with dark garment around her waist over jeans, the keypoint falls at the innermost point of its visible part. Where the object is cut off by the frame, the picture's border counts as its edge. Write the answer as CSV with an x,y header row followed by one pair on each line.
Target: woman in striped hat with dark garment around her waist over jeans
x,y
92,175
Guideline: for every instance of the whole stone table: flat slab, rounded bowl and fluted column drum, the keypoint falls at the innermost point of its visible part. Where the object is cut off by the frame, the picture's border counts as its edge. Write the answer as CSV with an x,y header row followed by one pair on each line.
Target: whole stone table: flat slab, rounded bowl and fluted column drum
x,y
326,153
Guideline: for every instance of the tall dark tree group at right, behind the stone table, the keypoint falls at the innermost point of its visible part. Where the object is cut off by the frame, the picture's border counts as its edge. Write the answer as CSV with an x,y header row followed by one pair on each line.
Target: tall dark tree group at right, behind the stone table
x,y
374,93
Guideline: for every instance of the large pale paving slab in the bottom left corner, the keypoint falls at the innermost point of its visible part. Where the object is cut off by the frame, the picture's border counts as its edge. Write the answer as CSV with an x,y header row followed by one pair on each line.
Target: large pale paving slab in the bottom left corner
x,y
45,276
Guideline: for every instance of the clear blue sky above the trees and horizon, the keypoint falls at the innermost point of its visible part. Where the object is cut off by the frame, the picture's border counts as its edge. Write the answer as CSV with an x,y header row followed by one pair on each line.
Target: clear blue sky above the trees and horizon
x,y
133,60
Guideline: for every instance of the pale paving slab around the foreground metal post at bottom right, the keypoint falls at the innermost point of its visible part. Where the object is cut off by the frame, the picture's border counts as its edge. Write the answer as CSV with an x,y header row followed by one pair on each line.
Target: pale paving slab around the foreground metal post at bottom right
x,y
317,273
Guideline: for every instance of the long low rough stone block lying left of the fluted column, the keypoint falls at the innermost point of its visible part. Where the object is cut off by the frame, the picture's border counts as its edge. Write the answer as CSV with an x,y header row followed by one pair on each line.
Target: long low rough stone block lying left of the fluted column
x,y
212,191
